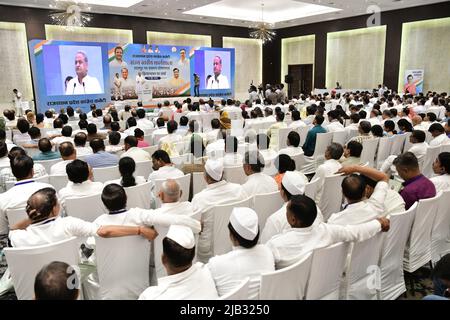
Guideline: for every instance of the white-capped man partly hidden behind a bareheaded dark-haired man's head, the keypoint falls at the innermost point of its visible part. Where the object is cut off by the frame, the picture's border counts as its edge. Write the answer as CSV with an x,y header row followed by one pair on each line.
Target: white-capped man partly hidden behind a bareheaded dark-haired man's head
x,y
293,183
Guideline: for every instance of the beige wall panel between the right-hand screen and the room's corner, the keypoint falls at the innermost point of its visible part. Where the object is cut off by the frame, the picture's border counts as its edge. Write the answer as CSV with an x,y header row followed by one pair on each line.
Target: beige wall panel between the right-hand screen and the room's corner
x,y
248,64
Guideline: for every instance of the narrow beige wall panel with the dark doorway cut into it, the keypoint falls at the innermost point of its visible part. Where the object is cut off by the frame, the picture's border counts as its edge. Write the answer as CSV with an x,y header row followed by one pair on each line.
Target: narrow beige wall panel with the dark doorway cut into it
x,y
297,50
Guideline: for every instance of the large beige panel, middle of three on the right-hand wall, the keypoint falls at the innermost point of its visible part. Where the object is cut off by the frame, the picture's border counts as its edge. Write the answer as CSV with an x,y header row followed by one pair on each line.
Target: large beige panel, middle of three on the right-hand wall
x,y
355,58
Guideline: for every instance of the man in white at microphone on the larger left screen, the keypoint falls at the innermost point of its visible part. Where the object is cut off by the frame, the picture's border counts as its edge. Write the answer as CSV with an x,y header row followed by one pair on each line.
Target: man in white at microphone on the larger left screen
x,y
83,83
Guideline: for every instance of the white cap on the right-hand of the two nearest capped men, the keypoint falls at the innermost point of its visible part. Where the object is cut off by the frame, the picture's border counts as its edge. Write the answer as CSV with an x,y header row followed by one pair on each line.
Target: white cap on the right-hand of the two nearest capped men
x,y
245,222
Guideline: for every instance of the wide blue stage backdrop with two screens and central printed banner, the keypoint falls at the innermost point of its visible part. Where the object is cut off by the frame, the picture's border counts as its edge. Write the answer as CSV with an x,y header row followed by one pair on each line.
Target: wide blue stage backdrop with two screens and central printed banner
x,y
81,73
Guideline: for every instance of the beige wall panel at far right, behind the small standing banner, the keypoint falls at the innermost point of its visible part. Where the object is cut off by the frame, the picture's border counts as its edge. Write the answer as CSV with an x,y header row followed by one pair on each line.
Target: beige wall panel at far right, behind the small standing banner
x,y
426,45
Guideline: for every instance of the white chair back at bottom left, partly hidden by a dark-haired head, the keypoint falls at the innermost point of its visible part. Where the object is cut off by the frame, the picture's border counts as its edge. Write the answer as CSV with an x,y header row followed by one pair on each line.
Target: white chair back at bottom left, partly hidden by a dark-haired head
x,y
25,263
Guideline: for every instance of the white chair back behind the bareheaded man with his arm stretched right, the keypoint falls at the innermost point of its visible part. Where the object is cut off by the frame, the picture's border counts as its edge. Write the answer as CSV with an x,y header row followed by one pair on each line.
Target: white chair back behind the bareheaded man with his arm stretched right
x,y
288,283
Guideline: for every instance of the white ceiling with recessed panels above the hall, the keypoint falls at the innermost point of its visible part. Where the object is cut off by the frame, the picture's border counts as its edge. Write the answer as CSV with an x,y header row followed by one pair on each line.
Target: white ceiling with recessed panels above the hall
x,y
174,9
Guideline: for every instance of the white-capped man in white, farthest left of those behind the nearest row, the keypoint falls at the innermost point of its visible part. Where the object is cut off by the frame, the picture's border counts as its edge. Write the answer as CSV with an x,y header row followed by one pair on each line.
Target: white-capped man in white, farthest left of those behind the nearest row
x,y
217,192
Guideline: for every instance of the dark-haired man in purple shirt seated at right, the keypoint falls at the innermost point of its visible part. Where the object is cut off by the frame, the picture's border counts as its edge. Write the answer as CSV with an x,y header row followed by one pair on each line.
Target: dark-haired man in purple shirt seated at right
x,y
416,185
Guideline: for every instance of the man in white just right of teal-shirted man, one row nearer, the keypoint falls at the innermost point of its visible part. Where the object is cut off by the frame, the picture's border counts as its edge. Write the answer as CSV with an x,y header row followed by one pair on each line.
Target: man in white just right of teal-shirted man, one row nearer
x,y
331,165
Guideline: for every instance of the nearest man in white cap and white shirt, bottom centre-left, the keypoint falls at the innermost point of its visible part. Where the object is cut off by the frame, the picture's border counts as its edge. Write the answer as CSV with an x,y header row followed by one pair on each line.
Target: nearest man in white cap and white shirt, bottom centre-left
x,y
185,281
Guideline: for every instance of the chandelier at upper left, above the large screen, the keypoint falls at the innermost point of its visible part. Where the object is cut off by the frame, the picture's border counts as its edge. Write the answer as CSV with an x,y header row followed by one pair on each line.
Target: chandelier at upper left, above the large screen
x,y
71,14
